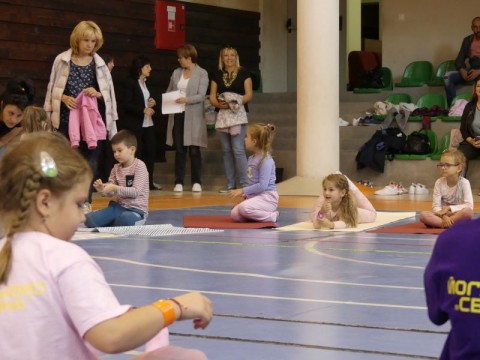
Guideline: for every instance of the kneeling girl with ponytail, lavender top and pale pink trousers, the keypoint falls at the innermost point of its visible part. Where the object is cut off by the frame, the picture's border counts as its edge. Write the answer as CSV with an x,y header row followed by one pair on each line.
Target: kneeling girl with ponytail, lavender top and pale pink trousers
x,y
260,195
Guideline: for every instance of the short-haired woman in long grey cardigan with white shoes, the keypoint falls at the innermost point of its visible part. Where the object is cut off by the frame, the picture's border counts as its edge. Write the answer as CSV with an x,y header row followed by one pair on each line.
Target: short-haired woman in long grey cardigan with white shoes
x,y
186,129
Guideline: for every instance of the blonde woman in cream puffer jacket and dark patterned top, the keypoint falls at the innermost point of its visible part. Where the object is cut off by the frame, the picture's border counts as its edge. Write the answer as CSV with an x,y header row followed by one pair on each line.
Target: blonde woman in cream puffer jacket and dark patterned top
x,y
80,70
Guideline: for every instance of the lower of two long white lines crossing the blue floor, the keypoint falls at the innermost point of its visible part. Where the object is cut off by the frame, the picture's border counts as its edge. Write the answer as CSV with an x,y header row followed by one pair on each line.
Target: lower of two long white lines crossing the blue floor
x,y
254,296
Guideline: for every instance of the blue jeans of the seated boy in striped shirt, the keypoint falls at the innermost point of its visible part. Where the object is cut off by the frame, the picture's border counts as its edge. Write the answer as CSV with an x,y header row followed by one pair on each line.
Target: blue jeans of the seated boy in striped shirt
x,y
113,215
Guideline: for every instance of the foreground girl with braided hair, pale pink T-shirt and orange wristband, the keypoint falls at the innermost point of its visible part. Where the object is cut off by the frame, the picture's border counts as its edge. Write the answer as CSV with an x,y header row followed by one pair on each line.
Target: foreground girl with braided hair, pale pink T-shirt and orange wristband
x,y
53,285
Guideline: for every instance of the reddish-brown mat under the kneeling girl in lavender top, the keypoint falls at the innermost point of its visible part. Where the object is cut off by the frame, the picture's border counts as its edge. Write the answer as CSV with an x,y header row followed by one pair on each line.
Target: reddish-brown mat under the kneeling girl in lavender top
x,y
222,222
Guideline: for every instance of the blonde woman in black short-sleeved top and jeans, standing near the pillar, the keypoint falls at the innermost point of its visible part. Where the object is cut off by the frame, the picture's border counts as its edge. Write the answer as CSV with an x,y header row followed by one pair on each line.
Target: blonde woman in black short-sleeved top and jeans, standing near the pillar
x,y
230,91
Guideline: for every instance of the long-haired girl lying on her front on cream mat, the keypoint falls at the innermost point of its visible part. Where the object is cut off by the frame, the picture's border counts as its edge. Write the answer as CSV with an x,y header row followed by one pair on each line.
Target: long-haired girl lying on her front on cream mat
x,y
341,205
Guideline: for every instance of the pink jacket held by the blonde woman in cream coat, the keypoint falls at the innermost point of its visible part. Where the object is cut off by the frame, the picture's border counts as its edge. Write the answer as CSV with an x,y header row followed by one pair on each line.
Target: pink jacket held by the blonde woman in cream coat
x,y
86,121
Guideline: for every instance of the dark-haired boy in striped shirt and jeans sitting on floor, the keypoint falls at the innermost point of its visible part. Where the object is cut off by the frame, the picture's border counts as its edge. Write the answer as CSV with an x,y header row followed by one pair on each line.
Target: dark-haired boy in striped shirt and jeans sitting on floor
x,y
128,181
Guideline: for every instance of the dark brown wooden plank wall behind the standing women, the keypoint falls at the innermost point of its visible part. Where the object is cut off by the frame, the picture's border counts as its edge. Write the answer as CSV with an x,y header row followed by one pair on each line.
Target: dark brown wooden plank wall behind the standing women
x,y
33,32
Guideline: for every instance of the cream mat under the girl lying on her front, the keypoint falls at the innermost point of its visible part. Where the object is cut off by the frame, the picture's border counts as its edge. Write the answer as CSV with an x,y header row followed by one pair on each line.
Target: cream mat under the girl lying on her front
x,y
383,218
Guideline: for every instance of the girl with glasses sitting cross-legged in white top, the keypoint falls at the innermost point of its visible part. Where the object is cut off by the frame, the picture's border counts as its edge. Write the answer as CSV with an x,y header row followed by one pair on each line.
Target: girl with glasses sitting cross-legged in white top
x,y
452,194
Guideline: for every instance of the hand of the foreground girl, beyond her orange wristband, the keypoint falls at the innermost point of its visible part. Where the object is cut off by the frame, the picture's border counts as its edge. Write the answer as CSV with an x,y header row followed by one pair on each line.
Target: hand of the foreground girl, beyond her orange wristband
x,y
197,307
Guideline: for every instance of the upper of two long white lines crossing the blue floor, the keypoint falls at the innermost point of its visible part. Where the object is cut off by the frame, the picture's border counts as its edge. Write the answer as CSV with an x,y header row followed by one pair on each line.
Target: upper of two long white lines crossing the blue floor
x,y
253,275
